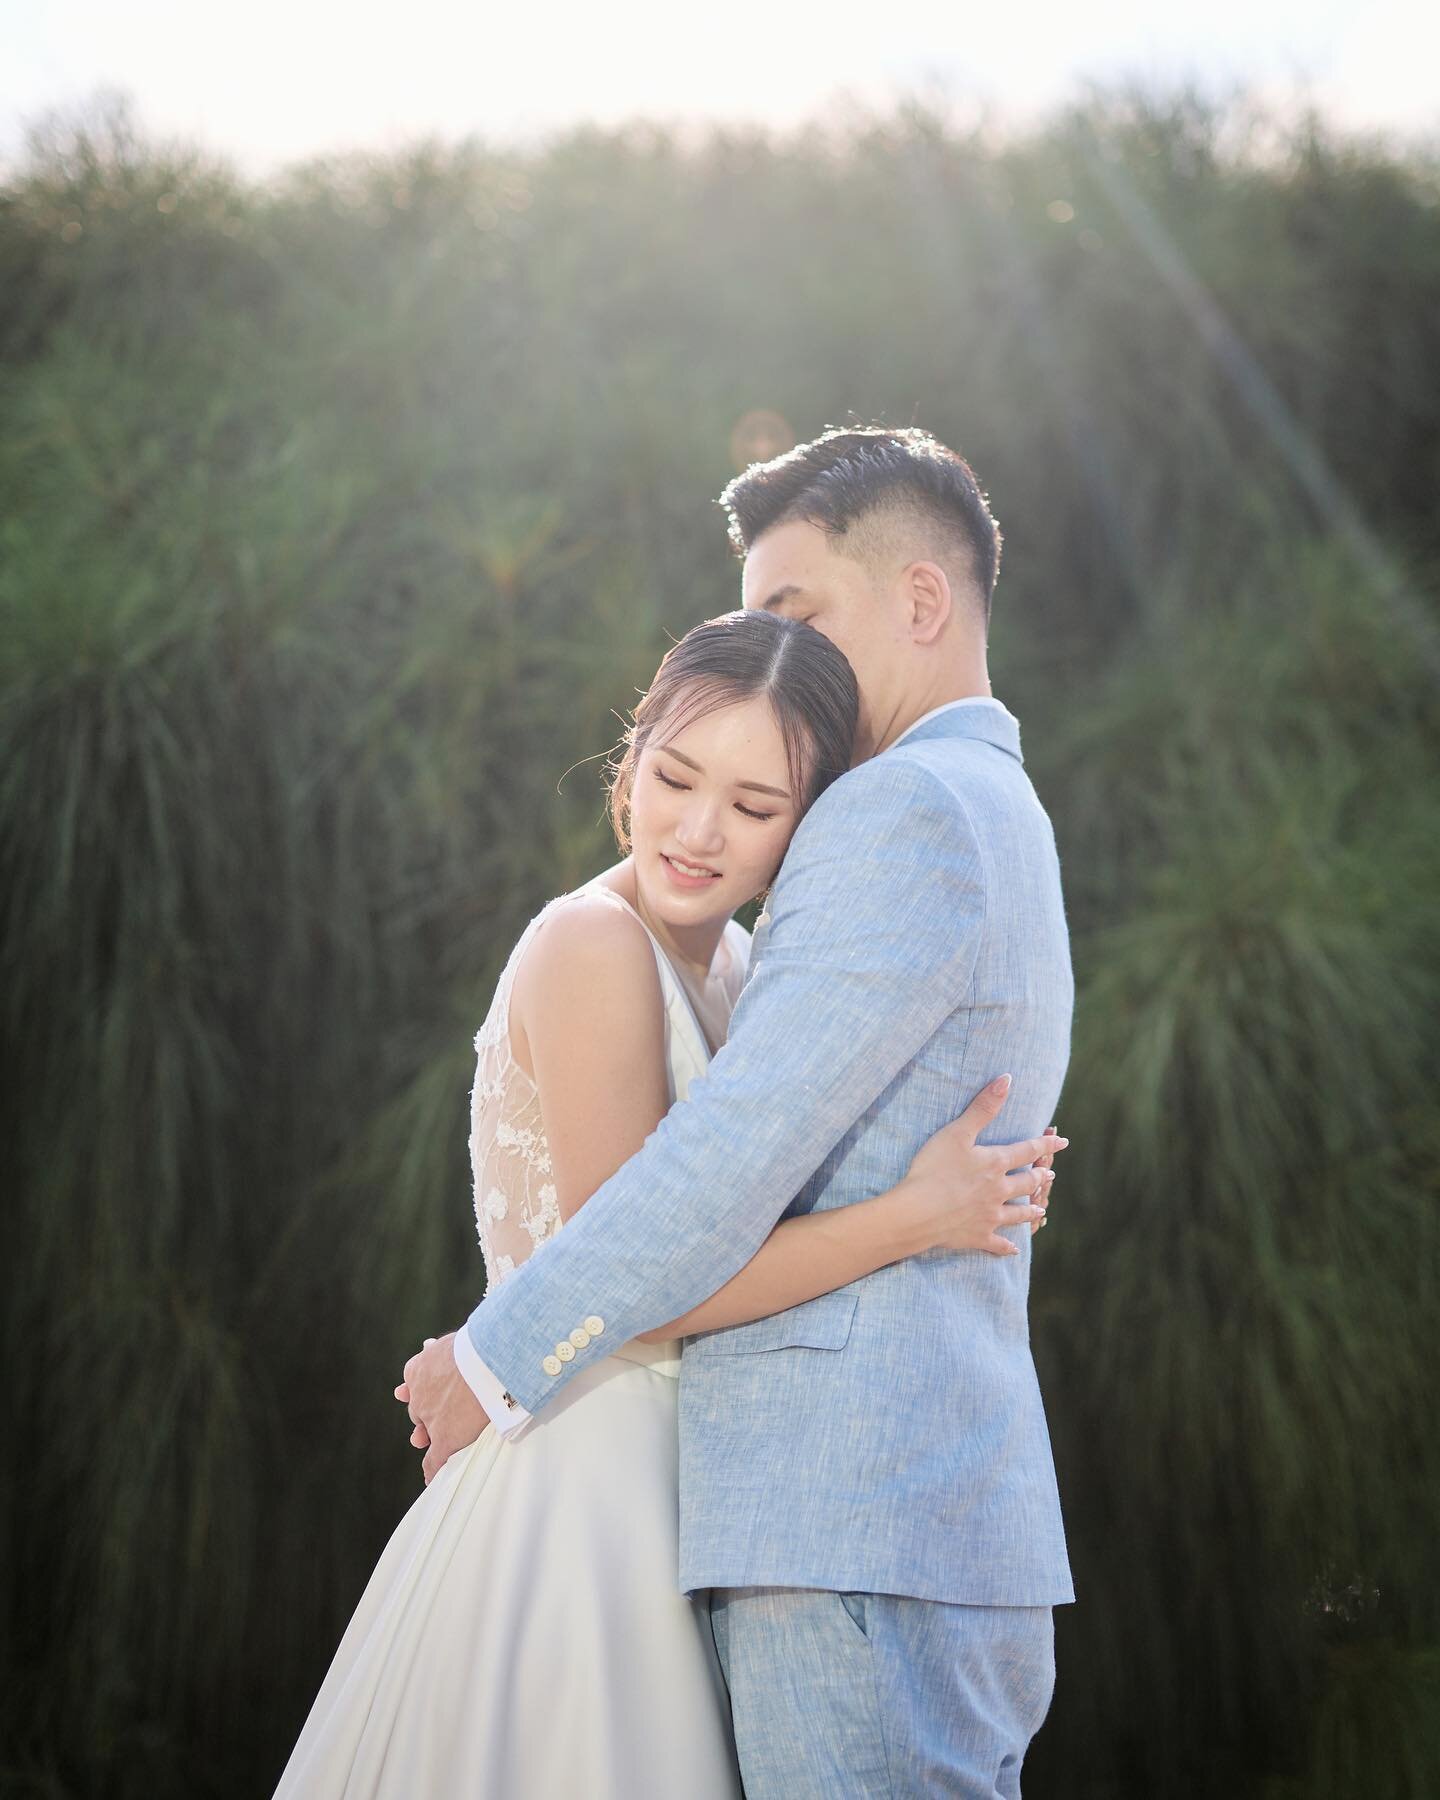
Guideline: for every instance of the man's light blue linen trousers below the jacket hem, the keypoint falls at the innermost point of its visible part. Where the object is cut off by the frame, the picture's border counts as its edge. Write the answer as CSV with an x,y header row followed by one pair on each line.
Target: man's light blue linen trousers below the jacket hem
x,y
847,1696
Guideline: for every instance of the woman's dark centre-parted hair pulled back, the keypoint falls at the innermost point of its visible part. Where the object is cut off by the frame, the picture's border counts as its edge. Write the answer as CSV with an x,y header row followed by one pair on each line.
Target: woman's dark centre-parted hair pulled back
x,y
737,658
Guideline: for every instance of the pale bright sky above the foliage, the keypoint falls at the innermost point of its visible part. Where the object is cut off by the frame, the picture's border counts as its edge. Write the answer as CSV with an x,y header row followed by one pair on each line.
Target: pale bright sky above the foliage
x,y
278,80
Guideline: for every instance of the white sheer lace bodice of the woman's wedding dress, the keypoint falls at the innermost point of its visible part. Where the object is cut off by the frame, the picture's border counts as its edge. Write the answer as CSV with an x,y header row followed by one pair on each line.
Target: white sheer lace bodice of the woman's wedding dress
x,y
516,1201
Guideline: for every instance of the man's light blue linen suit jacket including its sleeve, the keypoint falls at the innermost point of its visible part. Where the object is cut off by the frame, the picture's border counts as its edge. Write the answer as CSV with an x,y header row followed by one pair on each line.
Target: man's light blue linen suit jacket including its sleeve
x,y
888,1437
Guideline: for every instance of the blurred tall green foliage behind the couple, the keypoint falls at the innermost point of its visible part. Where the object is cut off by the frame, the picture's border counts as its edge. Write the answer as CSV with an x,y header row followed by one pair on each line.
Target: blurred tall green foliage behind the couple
x,y
337,519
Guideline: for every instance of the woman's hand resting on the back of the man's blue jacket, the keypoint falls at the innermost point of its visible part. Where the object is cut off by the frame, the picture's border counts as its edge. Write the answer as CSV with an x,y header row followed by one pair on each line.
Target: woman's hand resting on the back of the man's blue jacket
x,y
964,1194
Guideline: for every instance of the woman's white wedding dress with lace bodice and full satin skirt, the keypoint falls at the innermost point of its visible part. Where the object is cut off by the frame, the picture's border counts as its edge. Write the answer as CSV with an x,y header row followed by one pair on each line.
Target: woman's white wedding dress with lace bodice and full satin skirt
x,y
523,1635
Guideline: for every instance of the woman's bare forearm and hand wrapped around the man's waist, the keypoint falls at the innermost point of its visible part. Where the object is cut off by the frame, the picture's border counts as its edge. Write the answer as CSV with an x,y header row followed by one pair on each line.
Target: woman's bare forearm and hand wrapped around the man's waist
x,y
957,1196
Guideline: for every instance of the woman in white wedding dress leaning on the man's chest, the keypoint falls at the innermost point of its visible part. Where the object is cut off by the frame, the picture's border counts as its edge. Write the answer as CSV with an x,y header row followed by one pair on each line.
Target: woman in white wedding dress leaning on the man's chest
x,y
523,1635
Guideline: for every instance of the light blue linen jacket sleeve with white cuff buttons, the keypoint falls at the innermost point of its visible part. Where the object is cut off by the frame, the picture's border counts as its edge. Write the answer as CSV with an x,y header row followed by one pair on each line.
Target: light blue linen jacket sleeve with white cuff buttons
x,y
874,939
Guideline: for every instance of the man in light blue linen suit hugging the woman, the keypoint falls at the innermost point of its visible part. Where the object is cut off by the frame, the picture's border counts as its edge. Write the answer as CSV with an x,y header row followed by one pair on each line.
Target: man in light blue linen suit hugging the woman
x,y
867,1486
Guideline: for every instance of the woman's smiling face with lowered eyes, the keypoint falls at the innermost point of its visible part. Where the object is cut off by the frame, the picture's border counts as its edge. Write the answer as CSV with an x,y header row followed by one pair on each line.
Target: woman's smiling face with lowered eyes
x,y
710,813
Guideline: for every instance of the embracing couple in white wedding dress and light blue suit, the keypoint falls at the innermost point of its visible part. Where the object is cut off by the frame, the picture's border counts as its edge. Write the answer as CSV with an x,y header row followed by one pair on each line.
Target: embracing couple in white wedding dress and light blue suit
x,y
744,1486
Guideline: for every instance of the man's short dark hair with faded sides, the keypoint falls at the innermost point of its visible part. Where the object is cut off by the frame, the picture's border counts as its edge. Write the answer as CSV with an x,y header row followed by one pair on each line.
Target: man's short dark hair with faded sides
x,y
874,485
